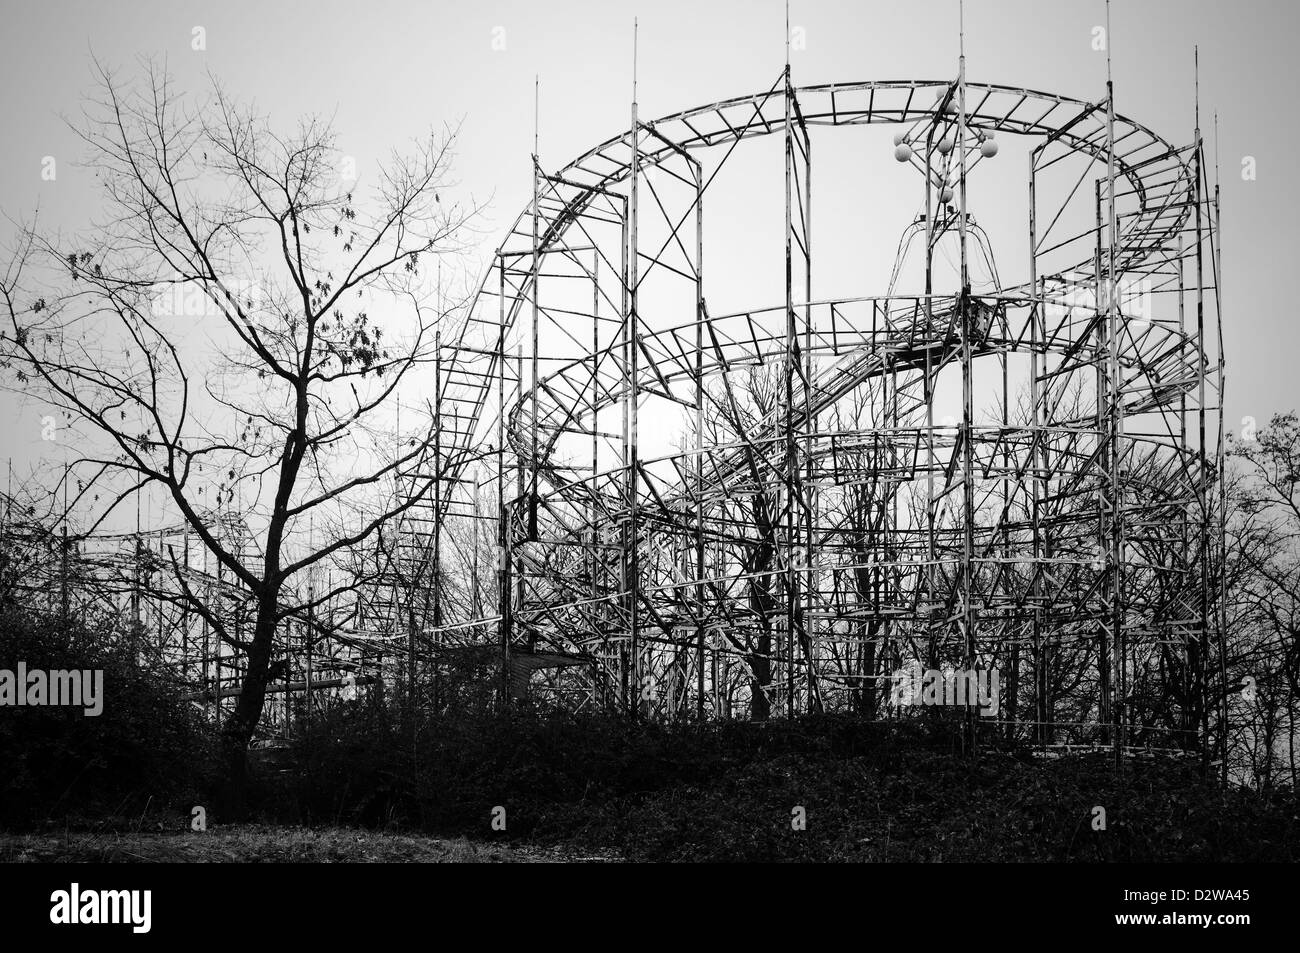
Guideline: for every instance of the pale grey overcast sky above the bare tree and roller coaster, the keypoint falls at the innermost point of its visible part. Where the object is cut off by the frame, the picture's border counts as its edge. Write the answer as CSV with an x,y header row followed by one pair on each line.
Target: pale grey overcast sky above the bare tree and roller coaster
x,y
389,71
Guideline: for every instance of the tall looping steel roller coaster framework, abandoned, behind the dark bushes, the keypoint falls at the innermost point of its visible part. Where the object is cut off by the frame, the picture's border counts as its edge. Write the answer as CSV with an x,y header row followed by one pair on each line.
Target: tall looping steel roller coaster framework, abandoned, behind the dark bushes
x,y
817,525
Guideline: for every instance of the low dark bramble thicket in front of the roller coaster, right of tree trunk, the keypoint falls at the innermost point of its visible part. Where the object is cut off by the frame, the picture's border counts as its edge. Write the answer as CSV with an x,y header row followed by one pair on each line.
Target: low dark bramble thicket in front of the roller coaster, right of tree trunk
x,y
727,792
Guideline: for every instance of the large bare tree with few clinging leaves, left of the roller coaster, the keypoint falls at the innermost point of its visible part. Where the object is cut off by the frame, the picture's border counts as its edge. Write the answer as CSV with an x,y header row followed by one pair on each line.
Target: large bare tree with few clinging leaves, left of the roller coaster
x,y
232,335
